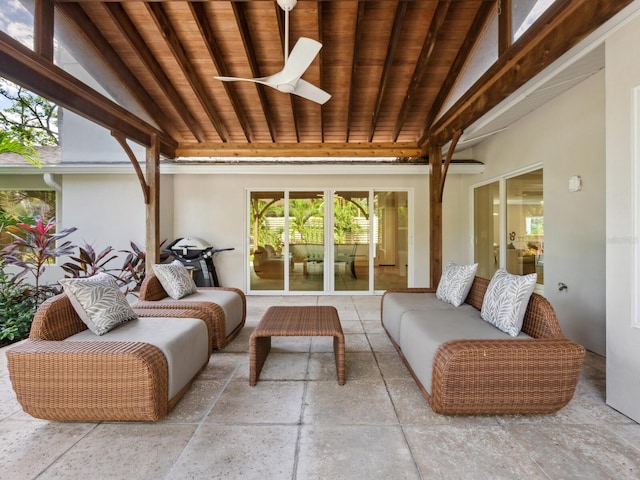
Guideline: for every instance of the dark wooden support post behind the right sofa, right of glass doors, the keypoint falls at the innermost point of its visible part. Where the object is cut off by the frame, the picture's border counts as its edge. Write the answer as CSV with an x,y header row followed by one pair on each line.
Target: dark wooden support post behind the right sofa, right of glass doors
x,y
435,209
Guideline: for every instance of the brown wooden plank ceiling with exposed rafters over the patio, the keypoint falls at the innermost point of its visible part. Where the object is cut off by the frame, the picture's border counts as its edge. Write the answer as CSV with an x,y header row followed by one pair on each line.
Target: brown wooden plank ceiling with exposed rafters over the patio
x,y
390,66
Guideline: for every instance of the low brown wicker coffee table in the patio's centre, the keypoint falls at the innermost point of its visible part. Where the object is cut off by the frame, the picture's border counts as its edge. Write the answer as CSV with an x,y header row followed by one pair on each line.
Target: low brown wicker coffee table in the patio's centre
x,y
295,322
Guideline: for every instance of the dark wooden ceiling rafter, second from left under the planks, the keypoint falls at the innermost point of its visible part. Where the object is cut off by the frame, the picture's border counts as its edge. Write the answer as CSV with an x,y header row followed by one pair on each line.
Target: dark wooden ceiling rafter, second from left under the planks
x,y
130,33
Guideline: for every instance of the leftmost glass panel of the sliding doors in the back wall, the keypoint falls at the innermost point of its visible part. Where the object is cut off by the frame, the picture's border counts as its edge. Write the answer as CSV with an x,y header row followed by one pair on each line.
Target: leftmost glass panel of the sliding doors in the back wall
x,y
266,252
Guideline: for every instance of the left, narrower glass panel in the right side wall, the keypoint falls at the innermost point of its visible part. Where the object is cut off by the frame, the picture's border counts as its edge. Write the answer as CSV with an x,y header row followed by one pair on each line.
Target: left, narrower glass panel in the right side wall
x,y
486,216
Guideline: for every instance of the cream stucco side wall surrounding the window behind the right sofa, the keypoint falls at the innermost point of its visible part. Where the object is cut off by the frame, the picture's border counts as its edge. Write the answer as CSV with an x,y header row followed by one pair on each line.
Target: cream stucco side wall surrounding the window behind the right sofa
x,y
566,137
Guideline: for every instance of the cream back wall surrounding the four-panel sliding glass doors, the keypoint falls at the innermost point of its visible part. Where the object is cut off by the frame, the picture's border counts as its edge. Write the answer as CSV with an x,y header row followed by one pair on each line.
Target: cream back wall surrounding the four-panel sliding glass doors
x,y
214,207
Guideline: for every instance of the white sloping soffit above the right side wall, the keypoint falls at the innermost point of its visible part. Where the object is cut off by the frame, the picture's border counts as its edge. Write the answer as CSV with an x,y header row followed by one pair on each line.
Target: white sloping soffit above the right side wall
x,y
579,63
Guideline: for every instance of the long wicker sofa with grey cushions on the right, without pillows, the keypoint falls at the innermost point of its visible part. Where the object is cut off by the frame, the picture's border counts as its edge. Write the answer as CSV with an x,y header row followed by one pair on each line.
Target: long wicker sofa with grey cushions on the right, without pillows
x,y
491,372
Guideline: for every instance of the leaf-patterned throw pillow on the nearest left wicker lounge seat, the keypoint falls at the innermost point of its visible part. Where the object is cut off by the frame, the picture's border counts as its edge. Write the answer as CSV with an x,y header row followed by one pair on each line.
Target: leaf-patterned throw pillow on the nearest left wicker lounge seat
x,y
98,301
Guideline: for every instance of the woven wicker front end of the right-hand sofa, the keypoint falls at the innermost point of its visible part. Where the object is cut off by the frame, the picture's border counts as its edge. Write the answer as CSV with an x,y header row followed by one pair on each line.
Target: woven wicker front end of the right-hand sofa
x,y
505,376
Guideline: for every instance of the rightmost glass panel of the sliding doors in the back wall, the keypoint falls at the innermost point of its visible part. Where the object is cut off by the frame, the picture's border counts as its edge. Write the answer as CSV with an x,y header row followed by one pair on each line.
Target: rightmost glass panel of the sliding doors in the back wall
x,y
391,237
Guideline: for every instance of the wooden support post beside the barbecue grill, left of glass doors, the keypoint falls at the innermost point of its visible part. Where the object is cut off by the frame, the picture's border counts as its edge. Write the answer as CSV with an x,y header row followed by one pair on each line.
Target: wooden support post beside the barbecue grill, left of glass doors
x,y
153,206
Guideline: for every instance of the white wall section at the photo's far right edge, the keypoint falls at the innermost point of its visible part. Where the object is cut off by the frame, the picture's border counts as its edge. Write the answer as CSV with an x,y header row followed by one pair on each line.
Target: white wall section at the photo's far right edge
x,y
623,135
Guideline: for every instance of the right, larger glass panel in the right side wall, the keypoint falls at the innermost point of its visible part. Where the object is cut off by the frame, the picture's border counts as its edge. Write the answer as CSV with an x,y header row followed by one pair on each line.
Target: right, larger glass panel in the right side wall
x,y
525,225
